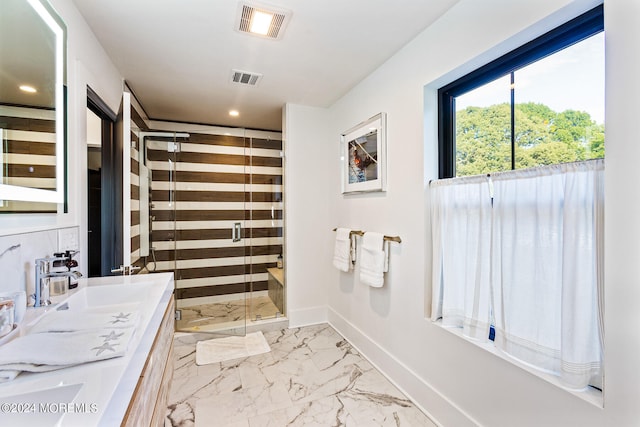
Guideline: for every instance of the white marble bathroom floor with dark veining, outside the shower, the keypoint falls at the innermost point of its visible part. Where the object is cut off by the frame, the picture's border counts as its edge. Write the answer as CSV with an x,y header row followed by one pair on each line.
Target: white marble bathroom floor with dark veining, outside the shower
x,y
311,377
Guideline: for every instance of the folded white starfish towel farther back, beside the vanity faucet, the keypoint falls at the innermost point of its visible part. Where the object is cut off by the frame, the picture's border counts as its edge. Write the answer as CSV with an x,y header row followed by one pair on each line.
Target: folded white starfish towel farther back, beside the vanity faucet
x,y
69,321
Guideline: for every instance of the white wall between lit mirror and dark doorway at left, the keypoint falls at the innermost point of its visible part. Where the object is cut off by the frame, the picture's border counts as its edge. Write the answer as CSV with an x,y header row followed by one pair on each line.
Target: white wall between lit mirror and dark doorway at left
x,y
87,64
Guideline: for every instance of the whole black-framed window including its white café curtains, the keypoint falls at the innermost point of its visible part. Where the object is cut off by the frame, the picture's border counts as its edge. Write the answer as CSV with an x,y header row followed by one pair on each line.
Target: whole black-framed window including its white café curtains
x,y
518,232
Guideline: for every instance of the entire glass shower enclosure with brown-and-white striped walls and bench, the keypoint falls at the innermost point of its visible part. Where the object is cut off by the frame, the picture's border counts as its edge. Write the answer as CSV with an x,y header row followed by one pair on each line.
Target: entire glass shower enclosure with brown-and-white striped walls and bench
x,y
211,211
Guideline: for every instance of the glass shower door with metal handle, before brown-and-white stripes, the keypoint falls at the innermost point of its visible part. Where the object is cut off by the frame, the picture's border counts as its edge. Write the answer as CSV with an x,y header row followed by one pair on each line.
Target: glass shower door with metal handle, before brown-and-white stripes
x,y
198,192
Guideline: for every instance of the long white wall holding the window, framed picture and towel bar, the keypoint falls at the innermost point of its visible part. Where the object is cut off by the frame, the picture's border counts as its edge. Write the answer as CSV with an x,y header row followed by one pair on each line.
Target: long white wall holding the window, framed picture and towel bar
x,y
457,382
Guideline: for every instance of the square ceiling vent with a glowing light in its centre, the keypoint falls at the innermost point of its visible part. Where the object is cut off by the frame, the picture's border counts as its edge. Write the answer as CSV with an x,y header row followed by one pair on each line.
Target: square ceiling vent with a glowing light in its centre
x,y
262,21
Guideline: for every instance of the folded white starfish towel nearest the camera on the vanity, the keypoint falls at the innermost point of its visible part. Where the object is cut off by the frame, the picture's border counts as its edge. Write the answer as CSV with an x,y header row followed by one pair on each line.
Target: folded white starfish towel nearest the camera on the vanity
x,y
50,351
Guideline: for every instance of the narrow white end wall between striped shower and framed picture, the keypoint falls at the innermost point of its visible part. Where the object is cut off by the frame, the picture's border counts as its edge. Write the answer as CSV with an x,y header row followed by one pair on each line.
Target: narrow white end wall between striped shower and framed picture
x,y
308,219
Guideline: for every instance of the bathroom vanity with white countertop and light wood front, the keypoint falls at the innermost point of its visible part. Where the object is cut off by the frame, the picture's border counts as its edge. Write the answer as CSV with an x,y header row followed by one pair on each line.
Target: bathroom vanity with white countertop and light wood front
x,y
129,390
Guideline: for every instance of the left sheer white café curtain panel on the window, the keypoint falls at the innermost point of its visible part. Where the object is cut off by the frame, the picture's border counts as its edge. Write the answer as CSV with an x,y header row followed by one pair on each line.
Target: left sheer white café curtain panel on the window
x,y
461,229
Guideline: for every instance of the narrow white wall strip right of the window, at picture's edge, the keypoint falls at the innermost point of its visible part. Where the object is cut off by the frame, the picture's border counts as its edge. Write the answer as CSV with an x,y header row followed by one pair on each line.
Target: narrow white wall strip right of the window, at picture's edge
x,y
622,210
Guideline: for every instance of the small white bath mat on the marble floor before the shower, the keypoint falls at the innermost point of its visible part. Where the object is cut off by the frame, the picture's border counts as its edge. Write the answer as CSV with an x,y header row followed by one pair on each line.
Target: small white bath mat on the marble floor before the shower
x,y
228,348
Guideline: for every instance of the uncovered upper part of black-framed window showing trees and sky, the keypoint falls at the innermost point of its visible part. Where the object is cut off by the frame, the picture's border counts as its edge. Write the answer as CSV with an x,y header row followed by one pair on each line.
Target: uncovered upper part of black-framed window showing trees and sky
x,y
540,104
